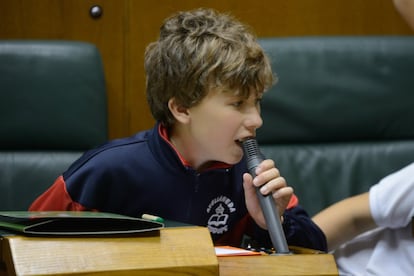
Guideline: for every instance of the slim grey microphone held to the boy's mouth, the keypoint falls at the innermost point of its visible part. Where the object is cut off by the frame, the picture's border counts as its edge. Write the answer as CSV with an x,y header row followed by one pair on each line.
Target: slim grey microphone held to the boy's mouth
x,y
254,157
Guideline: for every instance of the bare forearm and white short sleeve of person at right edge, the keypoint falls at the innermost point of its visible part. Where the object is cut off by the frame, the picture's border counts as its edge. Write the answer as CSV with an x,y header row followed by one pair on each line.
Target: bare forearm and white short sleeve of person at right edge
x,y
390,203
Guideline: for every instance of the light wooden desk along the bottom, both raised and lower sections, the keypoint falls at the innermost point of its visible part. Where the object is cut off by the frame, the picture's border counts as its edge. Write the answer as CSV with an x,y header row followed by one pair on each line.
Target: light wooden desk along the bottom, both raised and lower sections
x,y
182,250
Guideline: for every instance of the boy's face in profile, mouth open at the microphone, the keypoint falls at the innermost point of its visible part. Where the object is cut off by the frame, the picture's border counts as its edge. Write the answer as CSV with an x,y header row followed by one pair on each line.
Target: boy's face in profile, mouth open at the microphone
x,y
219,123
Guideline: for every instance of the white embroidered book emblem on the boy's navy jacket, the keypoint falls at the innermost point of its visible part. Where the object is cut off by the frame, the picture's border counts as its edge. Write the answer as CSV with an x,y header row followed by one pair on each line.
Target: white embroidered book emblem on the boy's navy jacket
x,y
219,210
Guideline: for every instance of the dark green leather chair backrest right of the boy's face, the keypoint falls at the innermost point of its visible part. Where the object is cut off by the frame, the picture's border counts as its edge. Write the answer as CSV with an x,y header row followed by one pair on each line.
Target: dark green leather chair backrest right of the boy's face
x,y
341,115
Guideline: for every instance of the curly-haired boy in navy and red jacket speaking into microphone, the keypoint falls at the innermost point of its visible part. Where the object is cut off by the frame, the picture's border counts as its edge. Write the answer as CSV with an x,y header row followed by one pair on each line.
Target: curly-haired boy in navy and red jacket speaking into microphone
x,y
205,78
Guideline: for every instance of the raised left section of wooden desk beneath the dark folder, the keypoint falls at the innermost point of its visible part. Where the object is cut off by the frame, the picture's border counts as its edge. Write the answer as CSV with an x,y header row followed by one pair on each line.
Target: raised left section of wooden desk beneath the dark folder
x,y
183,250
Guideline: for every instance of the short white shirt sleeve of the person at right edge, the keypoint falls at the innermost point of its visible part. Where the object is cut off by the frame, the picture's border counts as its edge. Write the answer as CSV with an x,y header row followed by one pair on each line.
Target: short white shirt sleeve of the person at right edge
x,y
392,199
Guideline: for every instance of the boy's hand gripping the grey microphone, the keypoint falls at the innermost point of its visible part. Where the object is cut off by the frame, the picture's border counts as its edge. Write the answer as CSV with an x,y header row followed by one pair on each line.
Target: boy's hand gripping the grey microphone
x,y
270,182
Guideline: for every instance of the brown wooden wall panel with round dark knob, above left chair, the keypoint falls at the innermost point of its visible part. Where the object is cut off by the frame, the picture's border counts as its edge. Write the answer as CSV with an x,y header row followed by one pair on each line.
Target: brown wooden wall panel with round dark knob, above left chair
x,y
70,19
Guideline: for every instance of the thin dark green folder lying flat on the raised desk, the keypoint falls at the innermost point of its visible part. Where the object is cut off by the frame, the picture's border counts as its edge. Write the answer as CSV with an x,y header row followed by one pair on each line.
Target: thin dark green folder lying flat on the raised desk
x,y
74,223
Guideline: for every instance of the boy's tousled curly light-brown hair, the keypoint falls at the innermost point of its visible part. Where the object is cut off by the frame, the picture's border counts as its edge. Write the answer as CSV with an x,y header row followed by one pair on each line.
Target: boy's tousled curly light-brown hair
x,y
198,50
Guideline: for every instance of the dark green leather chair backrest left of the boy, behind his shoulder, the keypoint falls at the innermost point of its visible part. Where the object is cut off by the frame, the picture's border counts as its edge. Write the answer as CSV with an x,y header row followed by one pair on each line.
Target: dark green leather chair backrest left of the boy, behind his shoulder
x,y
52,108
